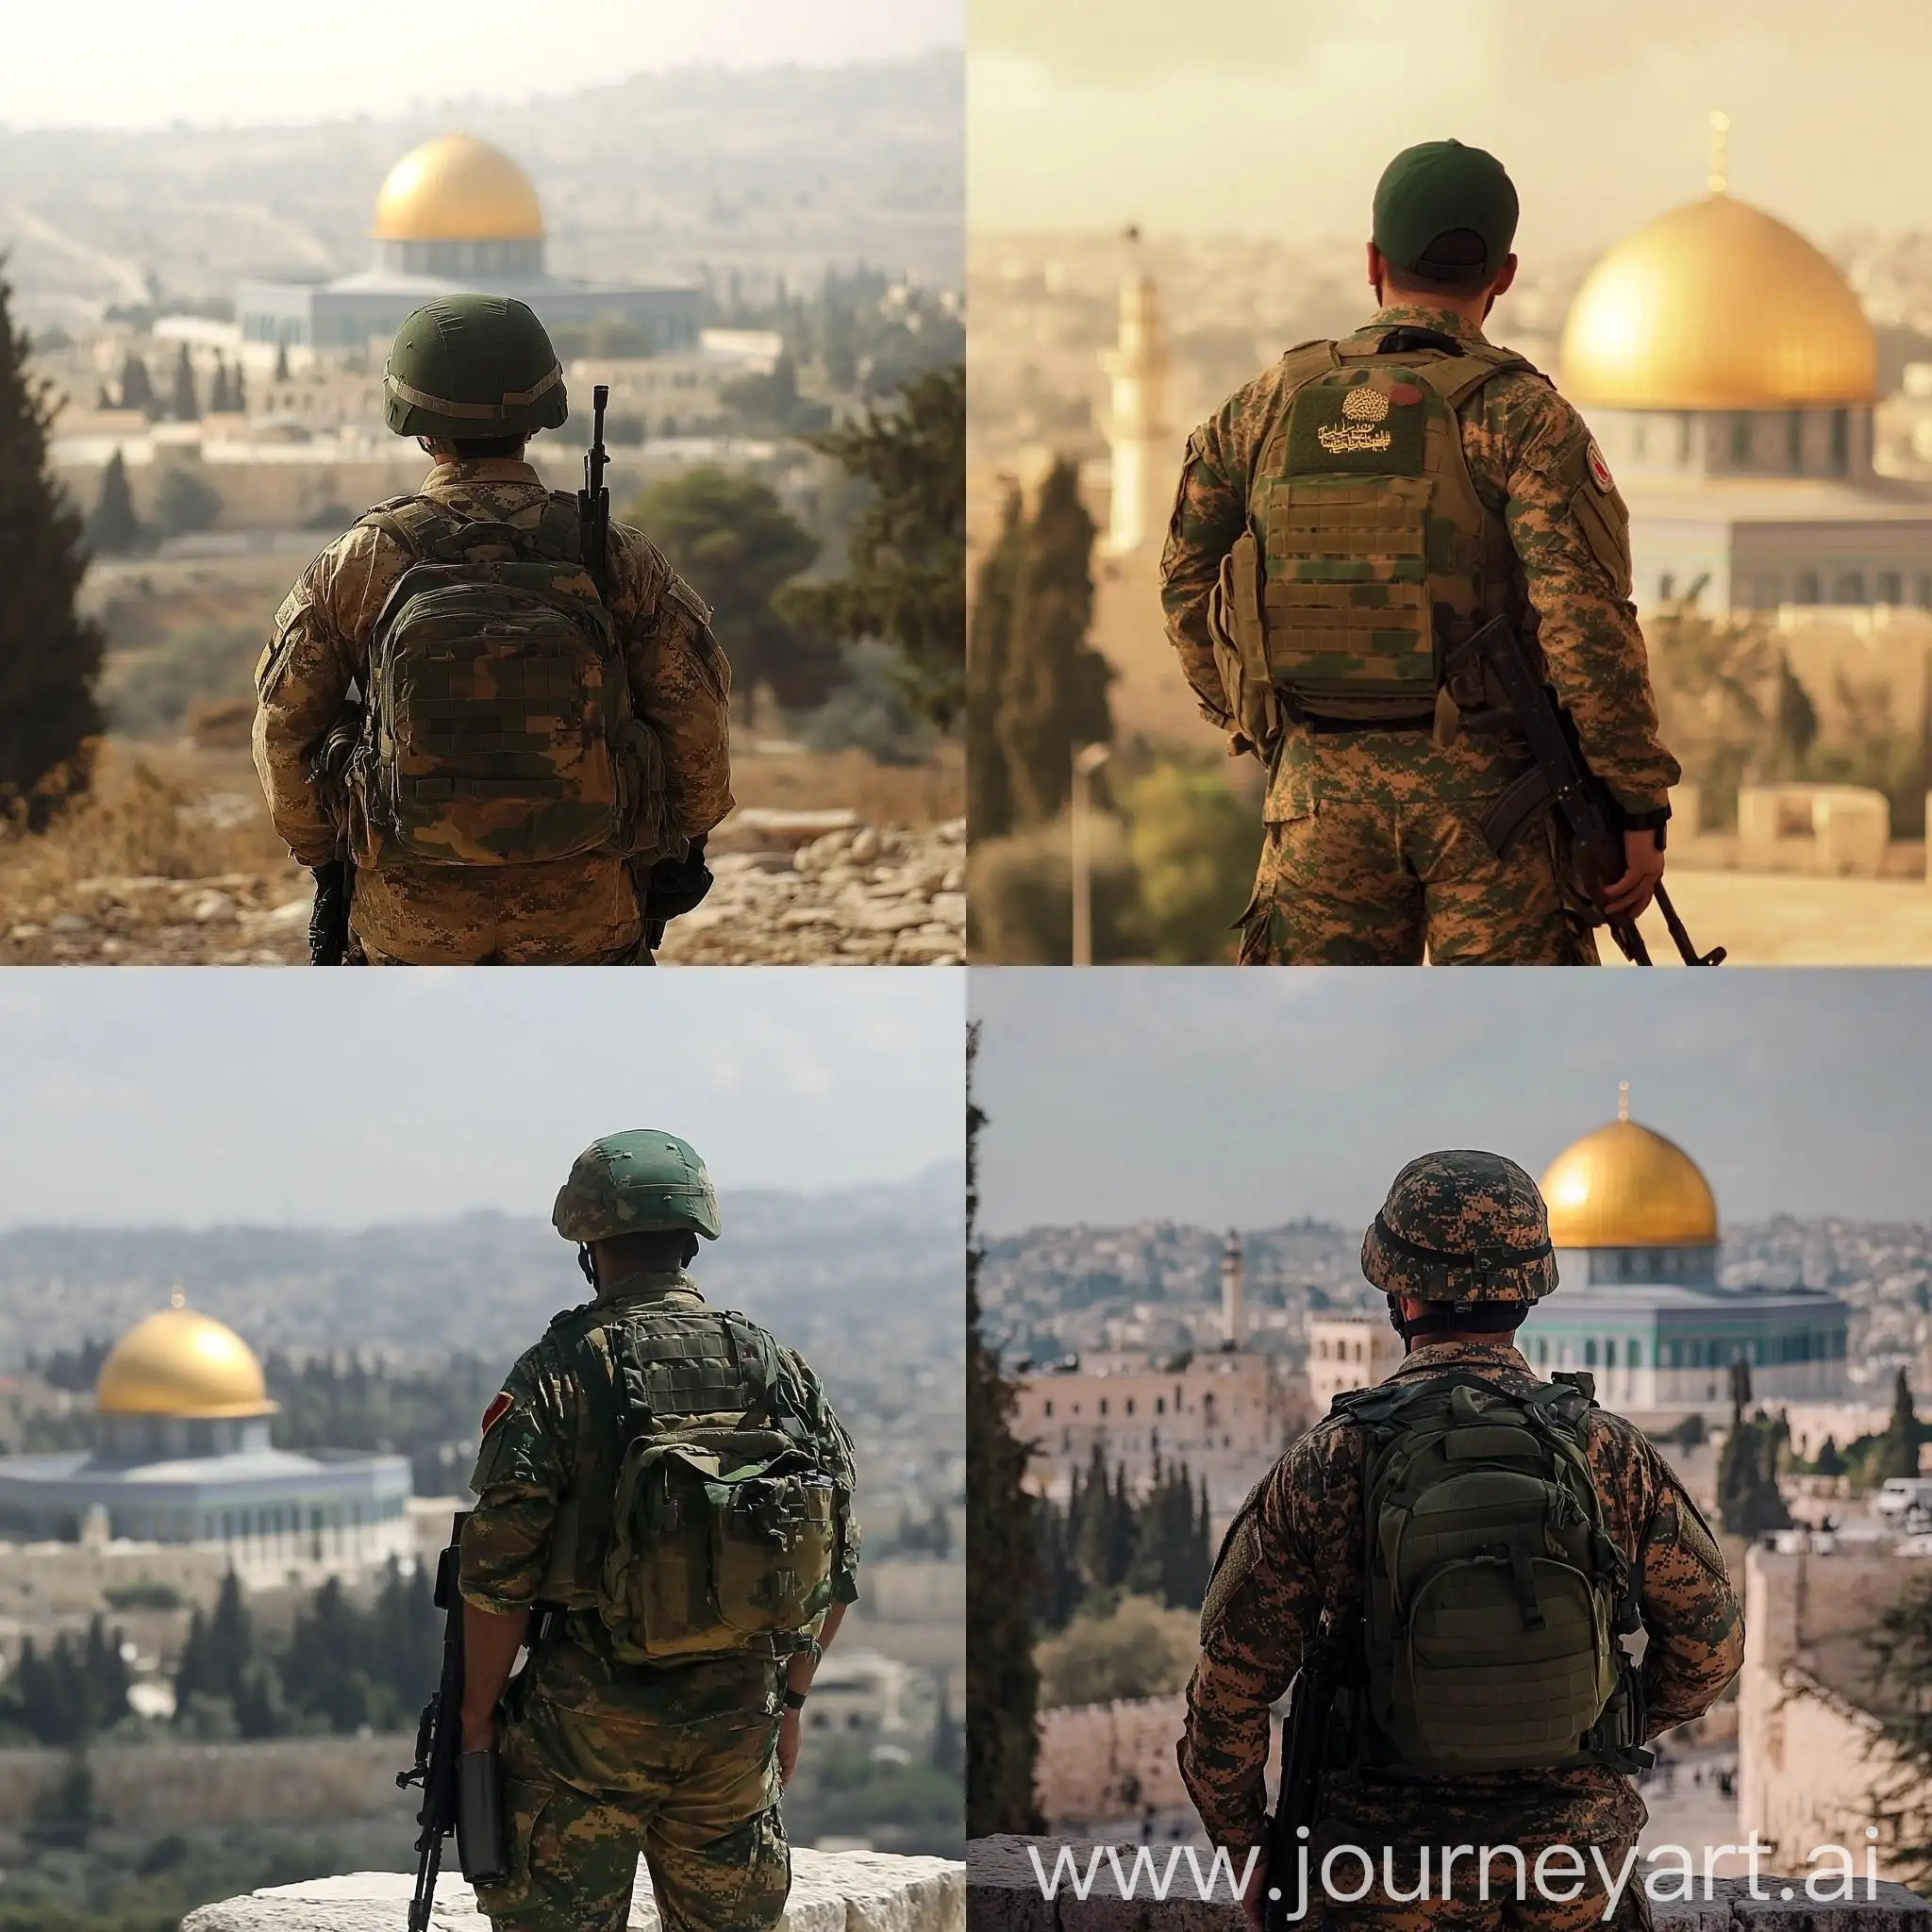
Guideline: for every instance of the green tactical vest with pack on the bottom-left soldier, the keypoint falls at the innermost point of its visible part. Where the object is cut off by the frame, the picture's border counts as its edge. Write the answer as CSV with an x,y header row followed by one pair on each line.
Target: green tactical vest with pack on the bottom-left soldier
x,y
702,1520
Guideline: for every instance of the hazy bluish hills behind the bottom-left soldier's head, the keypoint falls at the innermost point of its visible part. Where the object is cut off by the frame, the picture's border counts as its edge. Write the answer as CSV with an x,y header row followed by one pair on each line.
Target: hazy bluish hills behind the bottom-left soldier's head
x,y
880,1266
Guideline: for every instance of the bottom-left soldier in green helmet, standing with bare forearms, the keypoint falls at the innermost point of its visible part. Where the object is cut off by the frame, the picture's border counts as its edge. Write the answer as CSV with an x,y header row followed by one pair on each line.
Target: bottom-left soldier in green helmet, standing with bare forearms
x,y
660,1707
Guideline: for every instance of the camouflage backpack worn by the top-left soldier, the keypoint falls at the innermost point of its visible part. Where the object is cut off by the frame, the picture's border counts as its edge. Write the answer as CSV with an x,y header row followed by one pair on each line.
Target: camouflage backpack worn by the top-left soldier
x,y
497,724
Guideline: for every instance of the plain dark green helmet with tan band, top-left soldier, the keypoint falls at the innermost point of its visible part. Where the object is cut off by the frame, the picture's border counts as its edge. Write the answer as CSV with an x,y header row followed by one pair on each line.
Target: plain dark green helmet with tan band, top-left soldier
x,y
474,366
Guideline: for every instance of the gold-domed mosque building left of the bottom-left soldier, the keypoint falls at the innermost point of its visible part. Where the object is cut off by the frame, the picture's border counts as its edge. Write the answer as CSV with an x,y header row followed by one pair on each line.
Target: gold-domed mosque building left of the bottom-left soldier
x,y
183,1456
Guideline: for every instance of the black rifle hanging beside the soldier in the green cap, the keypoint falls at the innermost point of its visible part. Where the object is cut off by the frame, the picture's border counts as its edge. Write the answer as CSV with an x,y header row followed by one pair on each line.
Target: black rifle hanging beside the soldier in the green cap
x,y
1562,781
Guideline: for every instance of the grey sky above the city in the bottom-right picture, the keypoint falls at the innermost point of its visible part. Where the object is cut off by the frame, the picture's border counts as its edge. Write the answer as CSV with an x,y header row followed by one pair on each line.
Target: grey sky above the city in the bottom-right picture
x,y
1245,1100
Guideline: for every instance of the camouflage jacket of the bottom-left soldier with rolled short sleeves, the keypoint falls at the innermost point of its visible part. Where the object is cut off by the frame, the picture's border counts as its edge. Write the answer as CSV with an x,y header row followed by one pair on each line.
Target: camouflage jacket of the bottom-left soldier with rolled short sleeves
x,y
538,1448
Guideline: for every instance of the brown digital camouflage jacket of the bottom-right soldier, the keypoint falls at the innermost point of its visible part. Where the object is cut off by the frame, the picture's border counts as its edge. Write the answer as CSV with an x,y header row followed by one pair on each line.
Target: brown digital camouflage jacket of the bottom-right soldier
x,y
1301,1552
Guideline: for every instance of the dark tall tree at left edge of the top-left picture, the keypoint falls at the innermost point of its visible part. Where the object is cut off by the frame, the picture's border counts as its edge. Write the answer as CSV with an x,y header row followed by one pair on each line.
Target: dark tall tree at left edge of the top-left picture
x,y
49,654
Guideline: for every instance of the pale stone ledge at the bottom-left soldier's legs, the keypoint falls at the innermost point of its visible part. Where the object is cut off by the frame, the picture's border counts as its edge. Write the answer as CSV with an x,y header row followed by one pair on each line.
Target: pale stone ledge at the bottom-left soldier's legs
x,y
832,1892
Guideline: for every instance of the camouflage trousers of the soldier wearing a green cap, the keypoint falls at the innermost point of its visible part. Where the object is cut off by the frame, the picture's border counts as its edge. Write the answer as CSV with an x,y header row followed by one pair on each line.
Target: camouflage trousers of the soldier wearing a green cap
x,y
1369,884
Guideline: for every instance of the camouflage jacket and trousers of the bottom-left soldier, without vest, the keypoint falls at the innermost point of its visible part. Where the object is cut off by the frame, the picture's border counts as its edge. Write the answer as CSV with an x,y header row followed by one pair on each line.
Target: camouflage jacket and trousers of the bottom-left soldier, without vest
x,y
608,1759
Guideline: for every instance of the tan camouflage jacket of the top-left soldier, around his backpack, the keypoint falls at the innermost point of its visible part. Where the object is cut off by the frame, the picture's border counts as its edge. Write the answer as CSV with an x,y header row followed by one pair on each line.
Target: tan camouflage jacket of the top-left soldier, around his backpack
x,y
681,685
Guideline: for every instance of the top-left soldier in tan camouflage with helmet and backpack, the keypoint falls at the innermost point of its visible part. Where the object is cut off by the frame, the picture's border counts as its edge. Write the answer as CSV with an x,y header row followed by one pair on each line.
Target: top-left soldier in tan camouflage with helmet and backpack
x,y
542,739
